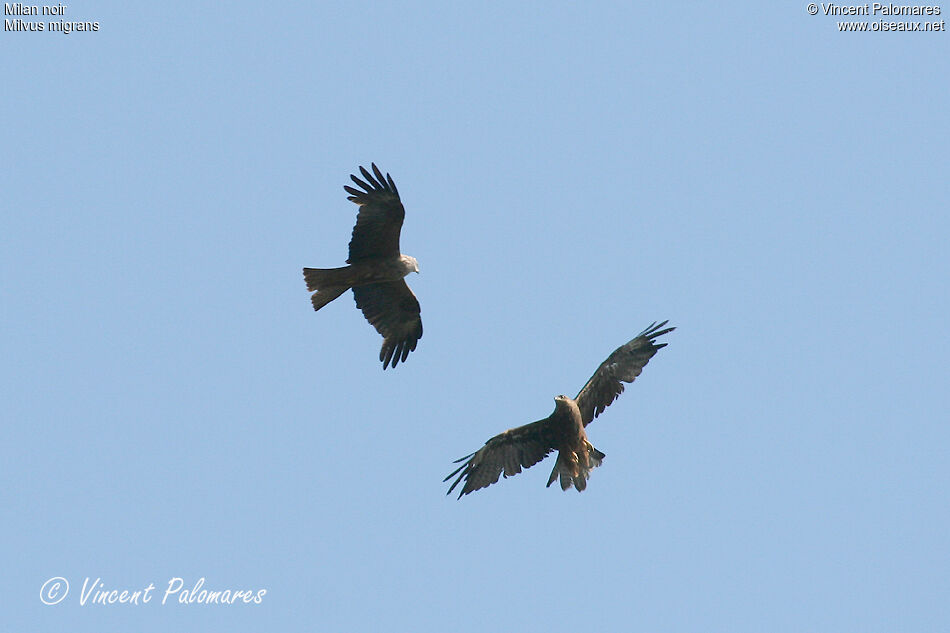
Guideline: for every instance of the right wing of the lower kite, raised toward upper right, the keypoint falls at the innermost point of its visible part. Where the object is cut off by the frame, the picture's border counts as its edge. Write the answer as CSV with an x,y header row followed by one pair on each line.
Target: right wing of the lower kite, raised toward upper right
x,y
623,365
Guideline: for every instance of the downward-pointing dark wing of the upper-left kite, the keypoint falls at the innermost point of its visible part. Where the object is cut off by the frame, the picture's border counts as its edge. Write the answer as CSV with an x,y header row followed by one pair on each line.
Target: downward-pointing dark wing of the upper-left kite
x,y
394,311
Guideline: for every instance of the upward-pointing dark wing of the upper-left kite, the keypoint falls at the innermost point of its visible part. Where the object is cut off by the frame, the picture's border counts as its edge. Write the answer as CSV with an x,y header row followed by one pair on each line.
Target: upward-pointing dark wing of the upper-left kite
x,y
379,221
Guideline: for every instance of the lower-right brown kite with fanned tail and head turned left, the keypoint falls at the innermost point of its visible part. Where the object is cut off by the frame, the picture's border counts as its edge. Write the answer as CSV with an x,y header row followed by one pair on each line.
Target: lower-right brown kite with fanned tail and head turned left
x,y
563,430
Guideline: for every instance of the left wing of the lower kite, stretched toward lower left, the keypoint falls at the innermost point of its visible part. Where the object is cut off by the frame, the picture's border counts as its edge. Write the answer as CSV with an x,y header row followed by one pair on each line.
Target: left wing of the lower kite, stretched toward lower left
x,y
506,453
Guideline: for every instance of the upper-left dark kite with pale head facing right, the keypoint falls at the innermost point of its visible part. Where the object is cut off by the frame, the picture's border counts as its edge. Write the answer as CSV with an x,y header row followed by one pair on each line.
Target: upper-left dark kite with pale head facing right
x,y
376,269
